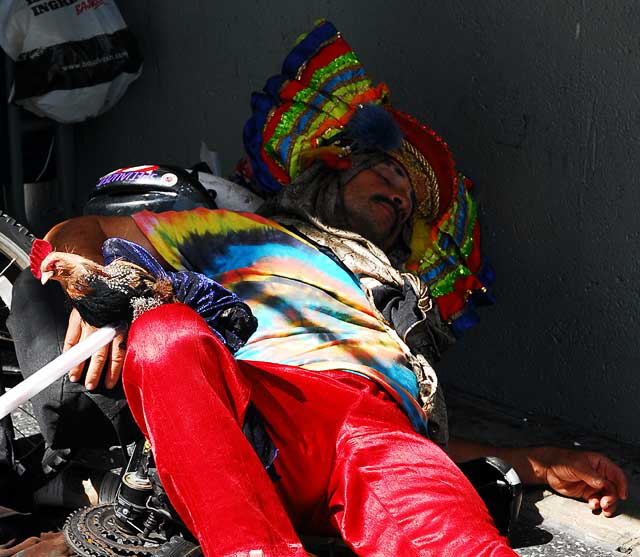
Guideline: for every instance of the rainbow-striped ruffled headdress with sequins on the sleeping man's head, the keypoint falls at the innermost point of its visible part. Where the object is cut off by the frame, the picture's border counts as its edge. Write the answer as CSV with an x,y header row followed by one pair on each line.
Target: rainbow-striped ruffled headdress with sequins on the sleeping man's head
x,y
324,106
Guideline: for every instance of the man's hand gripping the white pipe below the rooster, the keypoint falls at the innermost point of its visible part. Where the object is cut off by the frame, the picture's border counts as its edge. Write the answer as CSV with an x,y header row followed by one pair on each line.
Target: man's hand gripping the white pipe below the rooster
x,y
111,356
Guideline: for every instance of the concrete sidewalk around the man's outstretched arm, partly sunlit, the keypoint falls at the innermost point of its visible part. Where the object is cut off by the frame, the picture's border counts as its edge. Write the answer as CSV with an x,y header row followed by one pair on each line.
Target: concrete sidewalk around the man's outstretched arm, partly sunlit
x,y
552,525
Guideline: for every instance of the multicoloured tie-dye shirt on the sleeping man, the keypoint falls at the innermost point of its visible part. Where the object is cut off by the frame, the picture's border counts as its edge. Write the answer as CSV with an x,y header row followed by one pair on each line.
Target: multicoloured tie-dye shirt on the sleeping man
x,y
311,311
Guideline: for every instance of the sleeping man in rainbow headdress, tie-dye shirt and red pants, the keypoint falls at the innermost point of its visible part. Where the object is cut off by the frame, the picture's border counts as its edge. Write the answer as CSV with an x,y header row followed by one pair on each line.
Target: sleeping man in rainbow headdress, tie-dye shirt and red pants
x,y
360,269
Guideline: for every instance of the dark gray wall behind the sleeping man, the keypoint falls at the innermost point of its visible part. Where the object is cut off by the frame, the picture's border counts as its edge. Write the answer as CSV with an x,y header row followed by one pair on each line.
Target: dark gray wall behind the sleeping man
x,y
539,102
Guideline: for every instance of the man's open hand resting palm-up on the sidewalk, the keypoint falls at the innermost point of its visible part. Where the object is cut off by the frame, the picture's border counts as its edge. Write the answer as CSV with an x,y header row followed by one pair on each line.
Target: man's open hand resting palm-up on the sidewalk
x,y
585,475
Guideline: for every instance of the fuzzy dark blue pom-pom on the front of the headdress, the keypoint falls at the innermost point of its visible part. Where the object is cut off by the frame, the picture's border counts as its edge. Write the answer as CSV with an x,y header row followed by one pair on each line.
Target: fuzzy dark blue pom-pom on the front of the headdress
x,y
371,126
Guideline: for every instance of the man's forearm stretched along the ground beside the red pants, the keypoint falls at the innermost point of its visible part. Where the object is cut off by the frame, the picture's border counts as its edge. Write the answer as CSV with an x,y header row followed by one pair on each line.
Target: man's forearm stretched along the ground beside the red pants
x,y
529,462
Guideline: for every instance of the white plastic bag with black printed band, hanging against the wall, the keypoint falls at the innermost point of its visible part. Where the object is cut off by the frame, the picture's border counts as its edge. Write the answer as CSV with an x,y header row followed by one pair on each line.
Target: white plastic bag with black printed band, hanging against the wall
x,y
74,59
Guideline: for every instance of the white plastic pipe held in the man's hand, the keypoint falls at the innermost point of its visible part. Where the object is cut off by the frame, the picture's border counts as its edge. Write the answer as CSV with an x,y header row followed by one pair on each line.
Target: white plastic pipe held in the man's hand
x,y
55,369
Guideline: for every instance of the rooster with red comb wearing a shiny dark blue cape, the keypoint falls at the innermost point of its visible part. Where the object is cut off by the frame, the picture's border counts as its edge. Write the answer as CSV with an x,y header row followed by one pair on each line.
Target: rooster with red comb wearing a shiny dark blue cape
x,y
132,281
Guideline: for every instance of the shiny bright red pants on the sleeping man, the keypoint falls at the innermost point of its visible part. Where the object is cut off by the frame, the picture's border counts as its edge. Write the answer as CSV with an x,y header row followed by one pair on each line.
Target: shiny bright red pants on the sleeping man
x,y
349,461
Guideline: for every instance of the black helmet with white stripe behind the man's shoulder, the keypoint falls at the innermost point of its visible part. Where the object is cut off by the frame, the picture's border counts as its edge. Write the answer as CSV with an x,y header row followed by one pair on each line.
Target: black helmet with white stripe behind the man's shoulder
x,y
149,187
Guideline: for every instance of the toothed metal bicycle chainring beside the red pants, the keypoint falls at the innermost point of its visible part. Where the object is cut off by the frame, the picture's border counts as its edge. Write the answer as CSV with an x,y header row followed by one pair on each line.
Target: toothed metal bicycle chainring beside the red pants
x,y
94,532
